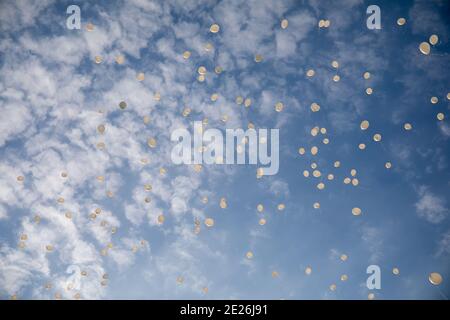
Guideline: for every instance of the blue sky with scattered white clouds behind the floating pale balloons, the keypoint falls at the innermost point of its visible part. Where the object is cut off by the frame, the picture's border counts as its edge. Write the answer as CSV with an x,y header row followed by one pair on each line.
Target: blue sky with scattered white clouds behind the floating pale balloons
x,y
53,97
